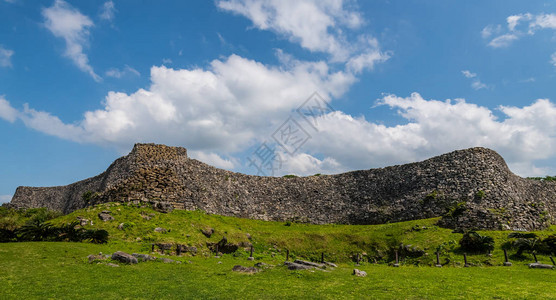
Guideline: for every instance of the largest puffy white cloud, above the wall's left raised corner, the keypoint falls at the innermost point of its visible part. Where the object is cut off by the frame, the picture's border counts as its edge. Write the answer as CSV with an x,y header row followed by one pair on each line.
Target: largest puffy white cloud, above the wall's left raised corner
x,y
222,108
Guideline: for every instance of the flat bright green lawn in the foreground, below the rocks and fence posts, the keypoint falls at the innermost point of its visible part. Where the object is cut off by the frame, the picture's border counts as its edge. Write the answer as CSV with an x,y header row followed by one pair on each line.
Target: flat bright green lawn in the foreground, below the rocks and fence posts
x,y
60,270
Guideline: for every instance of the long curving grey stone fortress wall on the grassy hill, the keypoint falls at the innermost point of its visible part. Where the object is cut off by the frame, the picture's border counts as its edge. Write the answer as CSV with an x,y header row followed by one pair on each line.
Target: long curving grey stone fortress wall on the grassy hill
x,y
471,188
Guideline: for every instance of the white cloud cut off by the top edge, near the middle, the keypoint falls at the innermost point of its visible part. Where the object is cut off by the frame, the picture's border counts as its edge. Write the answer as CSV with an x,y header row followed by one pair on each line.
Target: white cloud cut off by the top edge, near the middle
x,y
317,25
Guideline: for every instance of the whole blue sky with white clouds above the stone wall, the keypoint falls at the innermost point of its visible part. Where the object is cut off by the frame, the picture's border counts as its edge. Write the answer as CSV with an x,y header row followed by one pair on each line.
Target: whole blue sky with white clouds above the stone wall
x,y
401,81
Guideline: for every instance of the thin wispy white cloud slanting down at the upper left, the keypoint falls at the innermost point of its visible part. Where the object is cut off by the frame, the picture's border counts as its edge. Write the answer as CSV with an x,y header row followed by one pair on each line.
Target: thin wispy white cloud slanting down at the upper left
x,y
66,22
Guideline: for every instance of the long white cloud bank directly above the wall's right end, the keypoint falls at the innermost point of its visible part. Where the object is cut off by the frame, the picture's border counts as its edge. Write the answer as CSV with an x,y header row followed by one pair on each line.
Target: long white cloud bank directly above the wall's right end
x,y
435,127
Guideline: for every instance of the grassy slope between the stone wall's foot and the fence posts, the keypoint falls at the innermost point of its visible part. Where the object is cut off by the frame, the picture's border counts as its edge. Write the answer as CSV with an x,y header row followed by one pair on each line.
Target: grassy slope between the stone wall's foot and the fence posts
x,y
416,241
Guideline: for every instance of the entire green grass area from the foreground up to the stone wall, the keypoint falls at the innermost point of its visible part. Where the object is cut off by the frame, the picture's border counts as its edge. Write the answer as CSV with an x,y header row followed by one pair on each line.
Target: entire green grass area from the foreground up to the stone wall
x,y
60,270
